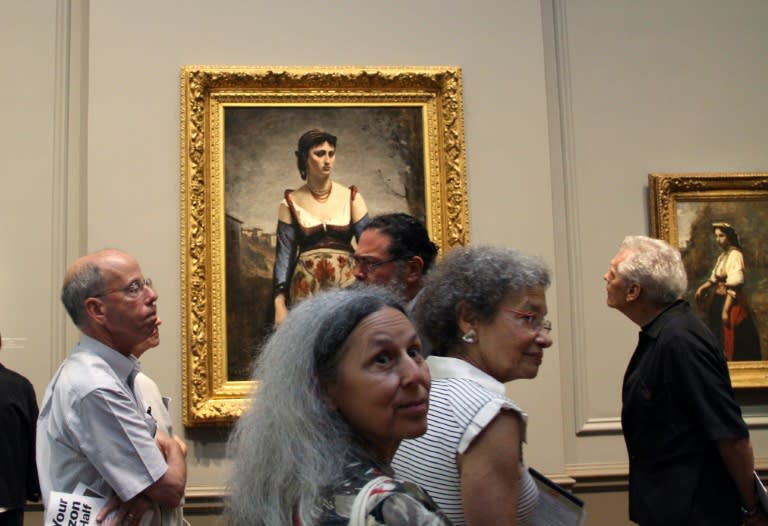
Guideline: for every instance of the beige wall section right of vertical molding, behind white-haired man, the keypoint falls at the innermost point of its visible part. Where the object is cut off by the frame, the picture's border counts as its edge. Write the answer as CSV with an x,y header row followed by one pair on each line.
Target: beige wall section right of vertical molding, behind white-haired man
x,y
655,87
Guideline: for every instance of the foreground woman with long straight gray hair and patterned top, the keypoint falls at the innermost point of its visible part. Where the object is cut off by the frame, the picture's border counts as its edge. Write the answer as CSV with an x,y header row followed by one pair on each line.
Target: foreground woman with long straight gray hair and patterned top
x,y
340,383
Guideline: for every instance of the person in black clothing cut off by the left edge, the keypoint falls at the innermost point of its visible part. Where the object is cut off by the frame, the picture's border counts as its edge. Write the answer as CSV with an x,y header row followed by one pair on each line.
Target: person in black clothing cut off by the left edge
x,y
18,474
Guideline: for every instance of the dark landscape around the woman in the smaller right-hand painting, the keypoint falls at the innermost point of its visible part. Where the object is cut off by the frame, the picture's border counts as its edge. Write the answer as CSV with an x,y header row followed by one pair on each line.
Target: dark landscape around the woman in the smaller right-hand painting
x,y
700,251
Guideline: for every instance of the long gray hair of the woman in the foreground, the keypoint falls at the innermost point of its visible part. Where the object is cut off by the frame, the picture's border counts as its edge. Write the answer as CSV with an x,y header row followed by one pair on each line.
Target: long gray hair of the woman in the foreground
x,y
290,445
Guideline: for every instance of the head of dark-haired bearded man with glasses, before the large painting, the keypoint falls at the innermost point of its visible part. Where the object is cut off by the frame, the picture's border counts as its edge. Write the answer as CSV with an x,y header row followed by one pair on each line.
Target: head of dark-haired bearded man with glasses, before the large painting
x,y
395,251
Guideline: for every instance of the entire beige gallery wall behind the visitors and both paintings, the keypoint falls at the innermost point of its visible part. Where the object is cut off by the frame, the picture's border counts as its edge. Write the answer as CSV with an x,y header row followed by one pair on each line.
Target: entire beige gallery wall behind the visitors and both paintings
x,y
568,107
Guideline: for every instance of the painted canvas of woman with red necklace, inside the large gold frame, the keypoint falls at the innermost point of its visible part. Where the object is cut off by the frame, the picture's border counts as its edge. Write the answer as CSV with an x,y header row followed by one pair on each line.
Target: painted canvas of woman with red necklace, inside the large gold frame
x,y
299,186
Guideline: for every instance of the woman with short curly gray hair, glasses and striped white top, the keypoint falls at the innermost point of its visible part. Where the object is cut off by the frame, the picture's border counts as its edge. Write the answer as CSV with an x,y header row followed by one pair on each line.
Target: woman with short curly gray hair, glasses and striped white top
x,y
483,312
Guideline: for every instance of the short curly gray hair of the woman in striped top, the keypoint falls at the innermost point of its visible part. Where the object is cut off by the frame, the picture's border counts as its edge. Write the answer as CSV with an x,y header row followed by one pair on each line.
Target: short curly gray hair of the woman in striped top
x,y
479,277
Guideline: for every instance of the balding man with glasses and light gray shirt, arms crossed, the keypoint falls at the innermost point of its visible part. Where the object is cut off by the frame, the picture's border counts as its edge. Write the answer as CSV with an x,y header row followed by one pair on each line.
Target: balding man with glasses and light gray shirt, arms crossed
x,y
92,429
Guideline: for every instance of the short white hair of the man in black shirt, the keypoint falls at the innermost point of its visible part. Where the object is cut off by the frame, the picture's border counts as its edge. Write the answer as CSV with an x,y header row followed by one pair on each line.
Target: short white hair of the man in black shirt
x,y
654,265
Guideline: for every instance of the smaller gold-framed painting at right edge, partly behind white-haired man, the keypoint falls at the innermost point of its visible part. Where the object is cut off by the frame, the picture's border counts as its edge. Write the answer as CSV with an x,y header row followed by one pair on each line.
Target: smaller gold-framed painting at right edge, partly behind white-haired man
x,y
719,221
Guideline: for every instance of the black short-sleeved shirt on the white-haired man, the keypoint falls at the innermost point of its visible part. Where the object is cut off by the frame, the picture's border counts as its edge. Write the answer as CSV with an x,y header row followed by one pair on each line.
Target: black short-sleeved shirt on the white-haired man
x,y
677,402
